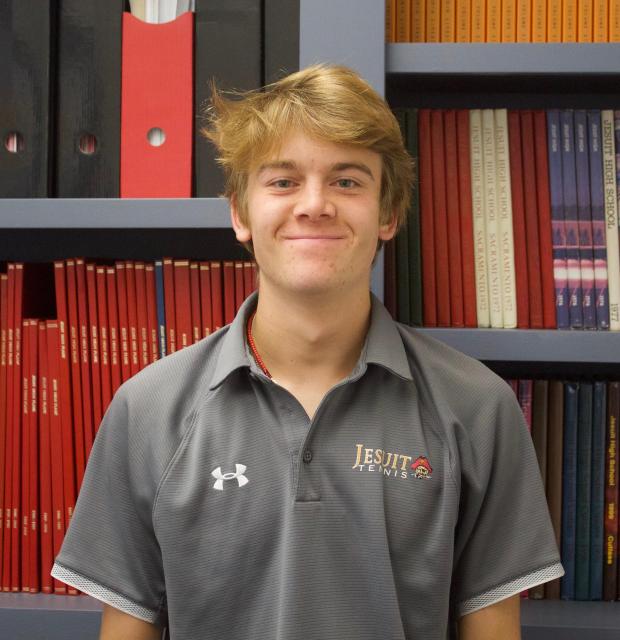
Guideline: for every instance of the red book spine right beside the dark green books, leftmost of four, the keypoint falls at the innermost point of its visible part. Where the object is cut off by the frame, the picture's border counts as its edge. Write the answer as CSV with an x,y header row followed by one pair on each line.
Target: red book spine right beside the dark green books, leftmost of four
x,y
427,230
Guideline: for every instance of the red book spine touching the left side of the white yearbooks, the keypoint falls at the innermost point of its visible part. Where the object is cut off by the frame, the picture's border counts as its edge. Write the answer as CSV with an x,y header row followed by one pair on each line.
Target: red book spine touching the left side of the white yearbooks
x,y
465,209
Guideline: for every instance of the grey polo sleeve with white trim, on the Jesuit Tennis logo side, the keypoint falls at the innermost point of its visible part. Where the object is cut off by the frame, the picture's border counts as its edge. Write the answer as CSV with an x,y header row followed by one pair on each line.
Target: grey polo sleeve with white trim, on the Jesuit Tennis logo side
x,y
504,540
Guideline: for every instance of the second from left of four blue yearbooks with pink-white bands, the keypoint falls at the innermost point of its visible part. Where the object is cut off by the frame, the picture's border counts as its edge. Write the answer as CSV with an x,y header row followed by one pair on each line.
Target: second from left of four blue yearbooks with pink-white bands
x,y
571,222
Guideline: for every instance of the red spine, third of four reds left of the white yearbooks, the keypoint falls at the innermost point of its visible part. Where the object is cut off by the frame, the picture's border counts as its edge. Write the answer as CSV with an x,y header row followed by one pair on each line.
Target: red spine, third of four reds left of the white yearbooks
x,y
453,219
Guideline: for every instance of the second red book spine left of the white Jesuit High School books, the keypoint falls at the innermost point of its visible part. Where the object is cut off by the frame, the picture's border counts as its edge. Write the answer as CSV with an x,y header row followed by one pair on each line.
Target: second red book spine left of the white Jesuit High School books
x,y
442,257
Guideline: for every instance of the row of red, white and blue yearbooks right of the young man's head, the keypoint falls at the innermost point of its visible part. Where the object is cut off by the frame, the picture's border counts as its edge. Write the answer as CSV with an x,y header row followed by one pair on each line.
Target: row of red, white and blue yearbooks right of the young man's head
x,y
514,220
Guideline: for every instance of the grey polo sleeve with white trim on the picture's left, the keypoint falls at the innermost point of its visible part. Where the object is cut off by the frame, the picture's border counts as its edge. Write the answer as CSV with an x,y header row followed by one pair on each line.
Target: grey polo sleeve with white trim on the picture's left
x,y
110,550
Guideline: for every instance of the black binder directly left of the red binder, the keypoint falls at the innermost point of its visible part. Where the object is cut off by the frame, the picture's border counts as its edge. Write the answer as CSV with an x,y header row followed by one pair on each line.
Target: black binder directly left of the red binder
x,y
88,98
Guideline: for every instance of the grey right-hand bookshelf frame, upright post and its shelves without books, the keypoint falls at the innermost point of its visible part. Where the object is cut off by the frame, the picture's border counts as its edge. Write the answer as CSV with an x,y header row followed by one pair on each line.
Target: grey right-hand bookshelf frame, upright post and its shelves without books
x,y
476,76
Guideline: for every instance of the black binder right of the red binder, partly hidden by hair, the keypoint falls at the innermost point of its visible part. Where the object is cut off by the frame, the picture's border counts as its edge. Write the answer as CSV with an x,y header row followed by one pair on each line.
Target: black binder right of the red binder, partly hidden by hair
x,y
227,47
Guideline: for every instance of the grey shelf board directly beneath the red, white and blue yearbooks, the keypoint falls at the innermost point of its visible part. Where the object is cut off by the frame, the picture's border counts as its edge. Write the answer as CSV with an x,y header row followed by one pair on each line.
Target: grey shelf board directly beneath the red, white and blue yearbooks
x,y
520,345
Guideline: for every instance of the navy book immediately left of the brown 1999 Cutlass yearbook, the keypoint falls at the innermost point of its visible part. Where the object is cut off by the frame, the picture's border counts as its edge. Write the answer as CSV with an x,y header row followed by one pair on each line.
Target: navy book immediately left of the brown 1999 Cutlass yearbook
x,y
597,497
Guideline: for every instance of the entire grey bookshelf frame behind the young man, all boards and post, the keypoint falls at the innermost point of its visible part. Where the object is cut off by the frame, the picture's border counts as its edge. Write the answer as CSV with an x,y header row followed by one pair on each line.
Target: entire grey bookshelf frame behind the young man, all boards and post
x,y
446,75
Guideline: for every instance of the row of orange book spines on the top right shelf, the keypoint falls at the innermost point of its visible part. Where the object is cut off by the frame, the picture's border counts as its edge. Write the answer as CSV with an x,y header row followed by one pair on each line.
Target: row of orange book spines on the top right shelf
x,y
502,21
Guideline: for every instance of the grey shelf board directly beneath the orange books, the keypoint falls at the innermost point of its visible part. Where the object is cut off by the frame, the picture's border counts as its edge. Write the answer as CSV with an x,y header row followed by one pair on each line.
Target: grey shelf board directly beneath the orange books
x,y
503,59
